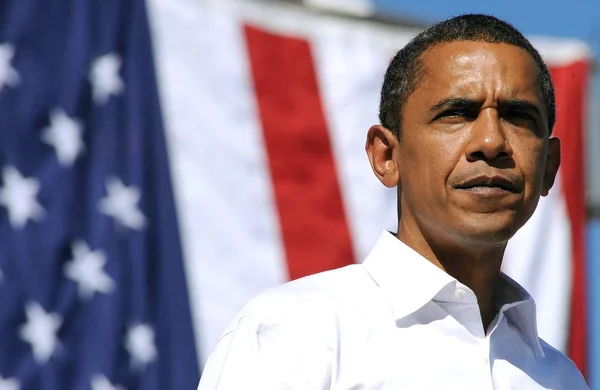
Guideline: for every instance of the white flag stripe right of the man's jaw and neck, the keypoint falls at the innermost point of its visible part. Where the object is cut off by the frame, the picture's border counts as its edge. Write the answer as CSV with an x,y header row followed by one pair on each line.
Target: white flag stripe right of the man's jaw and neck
x,y
539,258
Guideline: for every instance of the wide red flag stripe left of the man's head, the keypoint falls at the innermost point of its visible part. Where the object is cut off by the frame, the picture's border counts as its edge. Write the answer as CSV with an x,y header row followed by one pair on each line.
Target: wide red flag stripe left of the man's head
x,y
307,194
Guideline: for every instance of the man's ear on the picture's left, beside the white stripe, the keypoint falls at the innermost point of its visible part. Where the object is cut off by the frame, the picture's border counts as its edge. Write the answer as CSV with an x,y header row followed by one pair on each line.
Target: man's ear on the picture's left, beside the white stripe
x,y
380,146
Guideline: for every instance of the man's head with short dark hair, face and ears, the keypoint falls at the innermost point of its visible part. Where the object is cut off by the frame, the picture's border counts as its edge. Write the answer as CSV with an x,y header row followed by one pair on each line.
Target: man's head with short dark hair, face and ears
x,y
474,106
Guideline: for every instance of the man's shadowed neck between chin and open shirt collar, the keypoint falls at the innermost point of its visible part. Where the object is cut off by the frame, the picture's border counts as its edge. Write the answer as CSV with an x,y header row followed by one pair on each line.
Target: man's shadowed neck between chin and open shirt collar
x,y
476,266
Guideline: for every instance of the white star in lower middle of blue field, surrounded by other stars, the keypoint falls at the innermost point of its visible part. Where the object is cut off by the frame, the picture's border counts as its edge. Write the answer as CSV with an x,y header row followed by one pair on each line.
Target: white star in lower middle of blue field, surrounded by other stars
x,y
87,269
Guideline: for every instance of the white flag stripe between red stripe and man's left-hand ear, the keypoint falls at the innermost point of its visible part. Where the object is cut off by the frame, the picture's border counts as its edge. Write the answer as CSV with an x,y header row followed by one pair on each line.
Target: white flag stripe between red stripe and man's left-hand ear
x,y
350,73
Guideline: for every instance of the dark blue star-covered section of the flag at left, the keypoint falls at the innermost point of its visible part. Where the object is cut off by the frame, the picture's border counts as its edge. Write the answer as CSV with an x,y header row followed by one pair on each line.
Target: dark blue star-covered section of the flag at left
x,y
93,287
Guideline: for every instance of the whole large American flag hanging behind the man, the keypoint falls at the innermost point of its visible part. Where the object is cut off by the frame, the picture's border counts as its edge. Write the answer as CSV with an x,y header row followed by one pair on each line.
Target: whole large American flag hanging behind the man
x,y
157,171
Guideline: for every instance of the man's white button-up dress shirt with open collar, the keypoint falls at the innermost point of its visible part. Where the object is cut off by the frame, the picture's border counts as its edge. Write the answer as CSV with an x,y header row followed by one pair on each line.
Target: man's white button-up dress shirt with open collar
x,y
396,321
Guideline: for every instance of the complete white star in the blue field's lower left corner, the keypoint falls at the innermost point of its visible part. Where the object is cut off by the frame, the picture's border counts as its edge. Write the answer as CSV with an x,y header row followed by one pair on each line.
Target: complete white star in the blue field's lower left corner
x,y
40,331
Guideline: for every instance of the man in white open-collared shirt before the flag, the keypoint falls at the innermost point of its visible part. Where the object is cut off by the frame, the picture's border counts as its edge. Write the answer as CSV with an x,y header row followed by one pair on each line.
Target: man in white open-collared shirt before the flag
x,y
467,110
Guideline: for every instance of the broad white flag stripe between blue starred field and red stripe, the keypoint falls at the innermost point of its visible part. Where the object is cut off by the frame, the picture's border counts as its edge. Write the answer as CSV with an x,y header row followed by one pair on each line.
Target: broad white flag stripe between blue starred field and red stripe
x,y
230,229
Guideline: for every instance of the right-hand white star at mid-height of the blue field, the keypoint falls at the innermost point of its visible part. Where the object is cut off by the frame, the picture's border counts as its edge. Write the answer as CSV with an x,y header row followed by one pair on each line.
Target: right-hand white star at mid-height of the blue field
x,y
121,204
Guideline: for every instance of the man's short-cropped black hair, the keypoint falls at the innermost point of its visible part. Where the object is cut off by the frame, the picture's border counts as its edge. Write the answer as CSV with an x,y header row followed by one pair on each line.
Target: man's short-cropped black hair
x,y
405,69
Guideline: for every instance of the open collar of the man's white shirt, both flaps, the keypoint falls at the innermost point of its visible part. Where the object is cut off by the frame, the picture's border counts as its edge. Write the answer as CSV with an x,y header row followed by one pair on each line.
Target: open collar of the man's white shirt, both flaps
x,y
410,281
